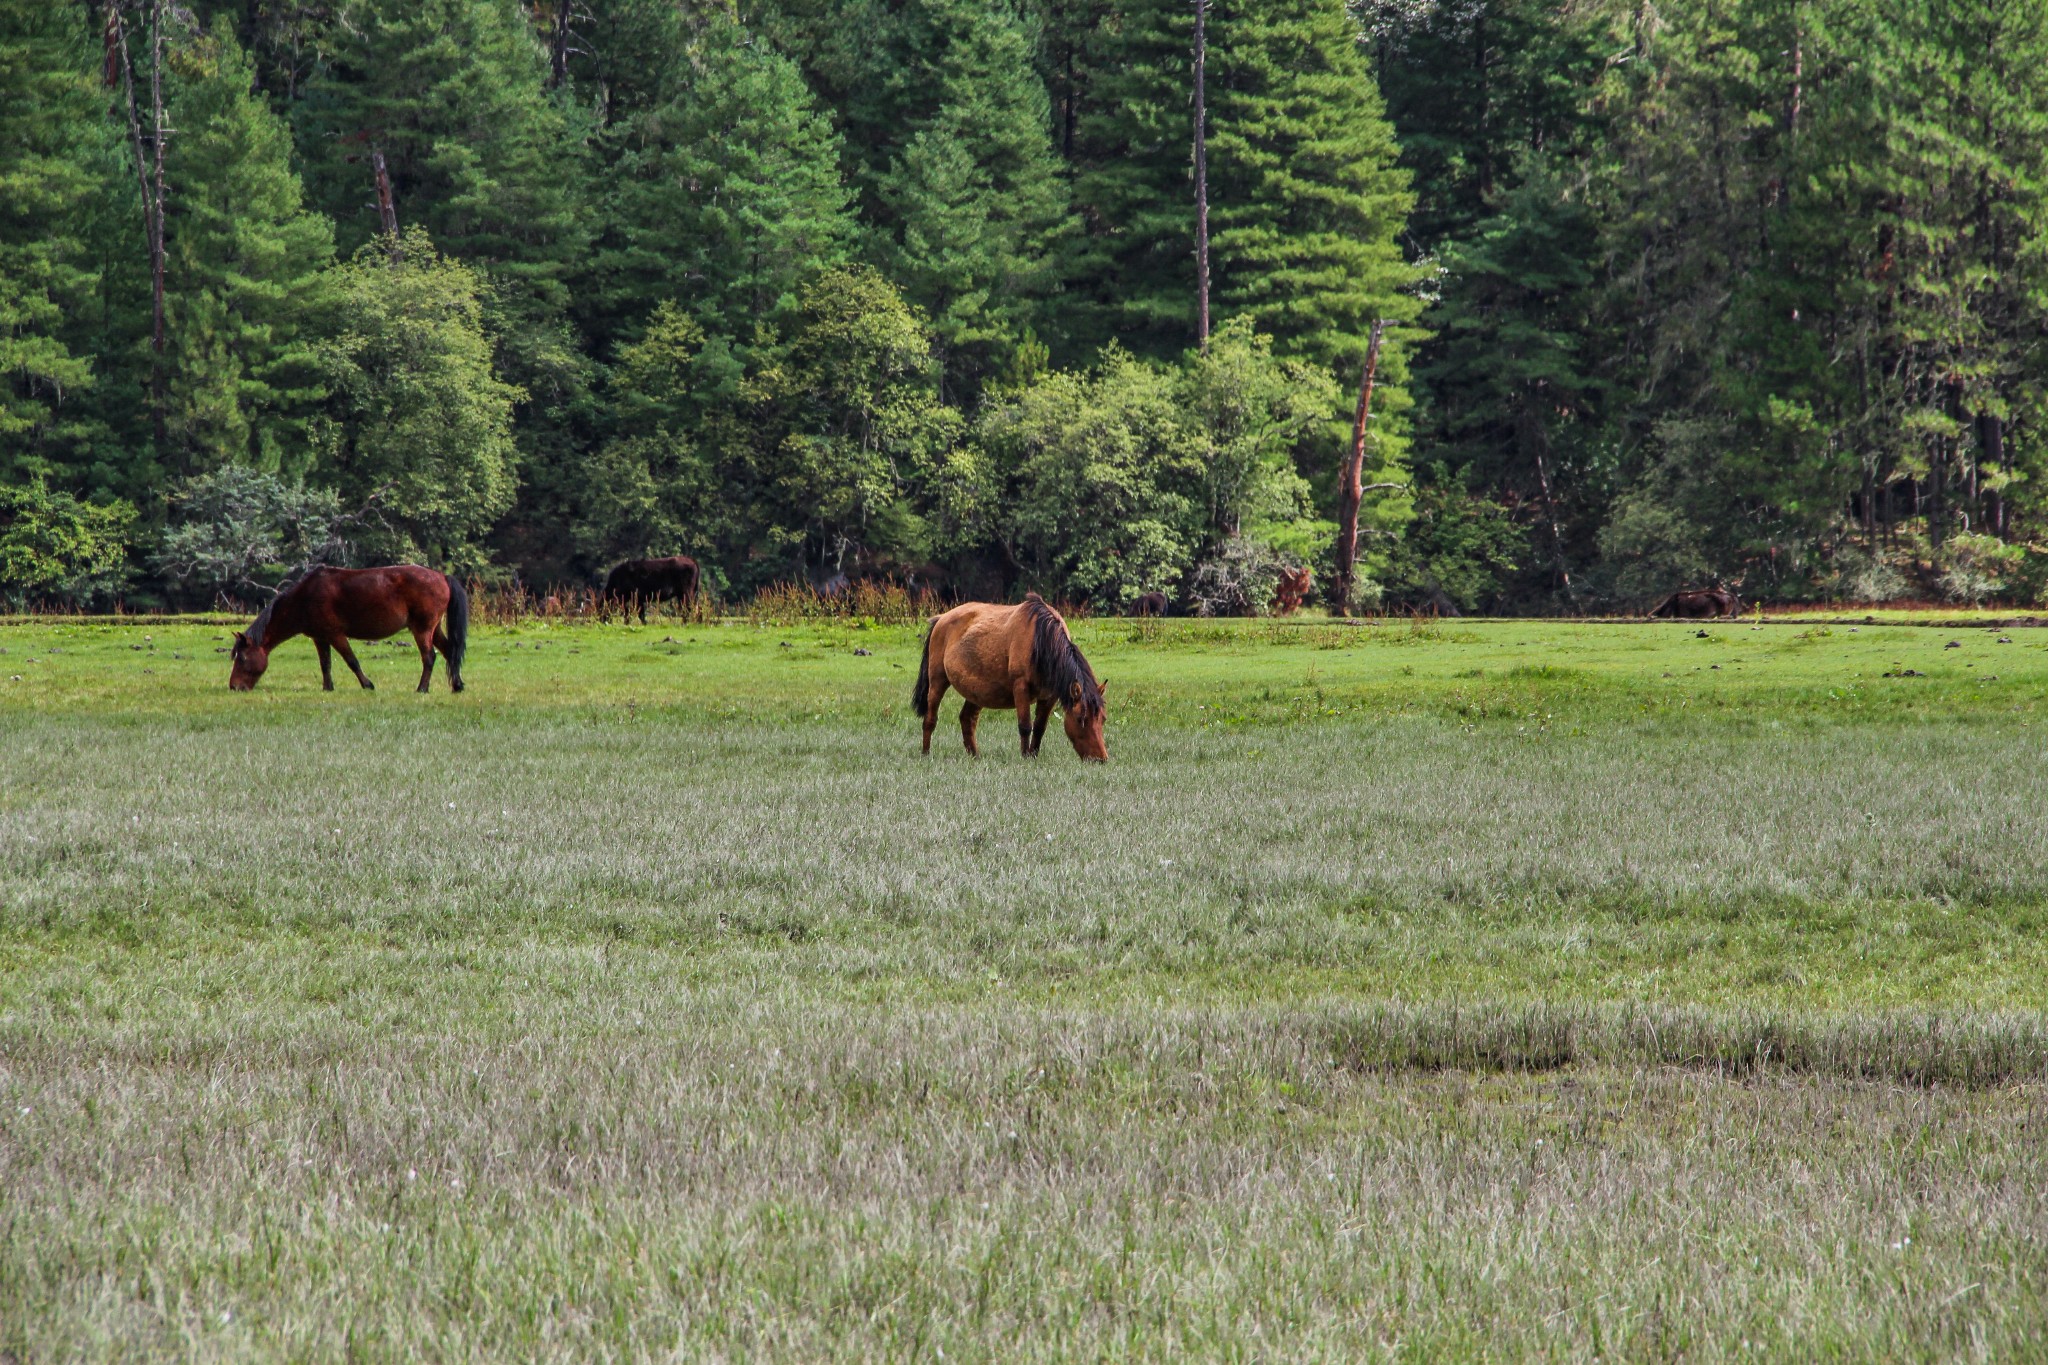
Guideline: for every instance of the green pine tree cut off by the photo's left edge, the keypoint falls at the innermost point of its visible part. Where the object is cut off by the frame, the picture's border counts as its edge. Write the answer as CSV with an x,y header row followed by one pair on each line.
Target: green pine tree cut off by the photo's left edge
x,y
56,163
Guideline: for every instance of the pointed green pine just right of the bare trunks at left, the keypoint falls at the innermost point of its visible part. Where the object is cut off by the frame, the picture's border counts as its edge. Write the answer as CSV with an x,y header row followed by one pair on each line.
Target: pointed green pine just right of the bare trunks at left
x,y
243,273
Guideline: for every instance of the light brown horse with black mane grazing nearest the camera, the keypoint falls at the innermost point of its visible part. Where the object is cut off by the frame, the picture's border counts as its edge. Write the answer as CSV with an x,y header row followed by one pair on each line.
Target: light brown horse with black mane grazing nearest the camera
x,y
1011,656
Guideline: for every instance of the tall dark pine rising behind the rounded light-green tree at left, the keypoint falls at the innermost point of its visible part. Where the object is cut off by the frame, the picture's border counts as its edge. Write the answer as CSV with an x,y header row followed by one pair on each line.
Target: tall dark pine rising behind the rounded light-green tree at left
x,y
488,155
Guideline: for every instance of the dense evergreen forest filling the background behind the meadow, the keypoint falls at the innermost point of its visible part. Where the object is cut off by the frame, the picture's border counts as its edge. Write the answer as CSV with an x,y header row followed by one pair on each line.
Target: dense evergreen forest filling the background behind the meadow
x,y
1562,304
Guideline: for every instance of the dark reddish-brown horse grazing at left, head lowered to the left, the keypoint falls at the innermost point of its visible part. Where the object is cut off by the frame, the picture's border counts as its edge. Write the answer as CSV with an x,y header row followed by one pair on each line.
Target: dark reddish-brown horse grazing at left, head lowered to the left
x,y
359,605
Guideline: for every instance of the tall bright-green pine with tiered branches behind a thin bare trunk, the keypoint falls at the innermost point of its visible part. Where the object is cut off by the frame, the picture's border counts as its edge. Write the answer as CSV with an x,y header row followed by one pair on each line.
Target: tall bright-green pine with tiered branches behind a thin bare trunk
x,y
1306,197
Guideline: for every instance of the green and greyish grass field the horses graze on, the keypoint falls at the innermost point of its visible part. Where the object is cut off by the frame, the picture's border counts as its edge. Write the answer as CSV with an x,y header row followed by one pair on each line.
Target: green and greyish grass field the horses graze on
x,y
1410,992
